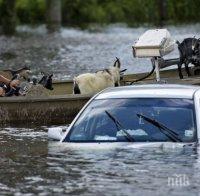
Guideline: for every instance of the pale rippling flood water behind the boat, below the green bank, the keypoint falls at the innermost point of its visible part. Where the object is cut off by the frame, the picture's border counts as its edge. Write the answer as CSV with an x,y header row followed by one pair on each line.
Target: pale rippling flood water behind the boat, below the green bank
x,y
76,51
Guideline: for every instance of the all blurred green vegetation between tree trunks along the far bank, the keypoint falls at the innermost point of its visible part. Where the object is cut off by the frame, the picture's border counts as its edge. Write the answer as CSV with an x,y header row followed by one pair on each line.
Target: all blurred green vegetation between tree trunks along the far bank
x,y
132,12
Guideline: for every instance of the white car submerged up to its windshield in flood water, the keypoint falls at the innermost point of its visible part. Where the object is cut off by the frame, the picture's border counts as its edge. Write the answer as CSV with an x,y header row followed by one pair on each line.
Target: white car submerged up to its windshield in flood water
x,y
139,114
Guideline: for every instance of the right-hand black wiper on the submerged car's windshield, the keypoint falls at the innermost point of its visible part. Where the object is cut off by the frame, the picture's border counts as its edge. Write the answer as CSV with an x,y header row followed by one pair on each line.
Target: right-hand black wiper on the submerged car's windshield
x,y
172,135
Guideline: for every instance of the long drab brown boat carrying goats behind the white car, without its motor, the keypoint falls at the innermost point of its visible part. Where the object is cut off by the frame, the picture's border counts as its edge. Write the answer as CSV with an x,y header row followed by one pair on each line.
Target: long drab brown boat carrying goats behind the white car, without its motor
x,y
61,106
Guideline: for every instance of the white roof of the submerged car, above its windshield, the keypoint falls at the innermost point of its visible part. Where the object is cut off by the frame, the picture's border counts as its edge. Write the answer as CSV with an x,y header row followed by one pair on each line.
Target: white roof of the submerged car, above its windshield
x,y
149,91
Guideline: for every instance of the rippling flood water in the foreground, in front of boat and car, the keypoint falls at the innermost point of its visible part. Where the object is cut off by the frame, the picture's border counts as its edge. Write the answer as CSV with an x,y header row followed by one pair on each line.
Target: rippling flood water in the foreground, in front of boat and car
x,y
32,164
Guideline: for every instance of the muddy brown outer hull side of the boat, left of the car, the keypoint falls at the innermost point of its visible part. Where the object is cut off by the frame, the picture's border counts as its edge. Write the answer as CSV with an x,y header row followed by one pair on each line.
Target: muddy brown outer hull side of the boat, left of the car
x,y
40,111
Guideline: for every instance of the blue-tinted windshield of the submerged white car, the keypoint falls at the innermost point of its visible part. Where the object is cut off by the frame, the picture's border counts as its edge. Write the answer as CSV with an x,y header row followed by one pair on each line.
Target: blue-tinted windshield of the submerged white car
x,y
130,120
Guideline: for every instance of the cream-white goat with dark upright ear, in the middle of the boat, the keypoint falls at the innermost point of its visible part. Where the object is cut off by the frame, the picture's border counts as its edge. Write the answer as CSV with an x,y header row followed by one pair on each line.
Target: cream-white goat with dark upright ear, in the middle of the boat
x,y
90,83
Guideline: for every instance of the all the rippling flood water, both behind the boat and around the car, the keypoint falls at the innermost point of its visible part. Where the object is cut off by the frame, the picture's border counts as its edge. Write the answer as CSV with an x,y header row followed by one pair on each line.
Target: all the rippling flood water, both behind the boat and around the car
x,y
32,165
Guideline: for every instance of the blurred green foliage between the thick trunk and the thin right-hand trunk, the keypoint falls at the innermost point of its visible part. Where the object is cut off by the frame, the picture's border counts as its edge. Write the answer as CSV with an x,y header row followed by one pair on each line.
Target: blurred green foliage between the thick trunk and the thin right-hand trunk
x,y
108,11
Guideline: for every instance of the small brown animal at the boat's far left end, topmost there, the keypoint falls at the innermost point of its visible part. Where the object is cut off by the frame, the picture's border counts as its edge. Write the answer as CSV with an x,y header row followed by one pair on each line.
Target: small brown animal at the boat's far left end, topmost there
x,y
23,73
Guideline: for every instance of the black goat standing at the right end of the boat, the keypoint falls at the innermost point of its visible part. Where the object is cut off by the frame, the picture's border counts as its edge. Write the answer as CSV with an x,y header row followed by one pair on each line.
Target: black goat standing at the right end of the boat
x,y
189,50
